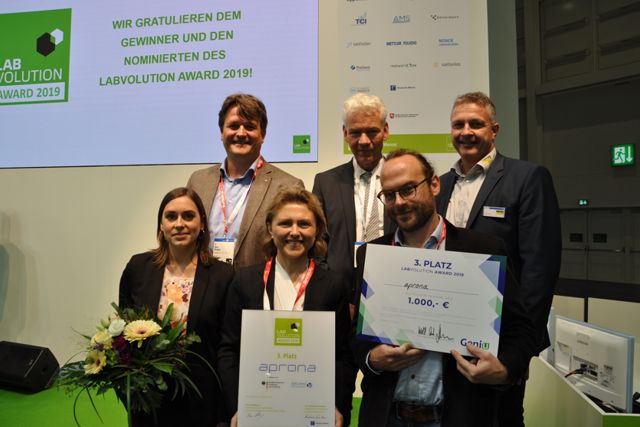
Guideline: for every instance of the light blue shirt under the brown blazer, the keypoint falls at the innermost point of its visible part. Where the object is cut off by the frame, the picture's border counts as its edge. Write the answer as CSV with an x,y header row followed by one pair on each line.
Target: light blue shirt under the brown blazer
x,y
233,190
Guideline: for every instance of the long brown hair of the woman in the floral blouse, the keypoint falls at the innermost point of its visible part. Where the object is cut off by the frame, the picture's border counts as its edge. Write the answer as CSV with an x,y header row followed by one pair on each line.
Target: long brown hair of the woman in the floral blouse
x,y
161,253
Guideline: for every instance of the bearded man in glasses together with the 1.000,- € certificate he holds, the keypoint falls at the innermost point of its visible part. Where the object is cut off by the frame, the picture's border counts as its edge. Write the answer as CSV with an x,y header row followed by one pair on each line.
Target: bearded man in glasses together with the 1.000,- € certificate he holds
x,y
425,384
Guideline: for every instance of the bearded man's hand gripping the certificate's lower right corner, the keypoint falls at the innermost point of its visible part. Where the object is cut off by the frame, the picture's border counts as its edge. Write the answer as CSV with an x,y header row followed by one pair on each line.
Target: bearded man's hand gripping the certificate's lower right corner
x,y
484,368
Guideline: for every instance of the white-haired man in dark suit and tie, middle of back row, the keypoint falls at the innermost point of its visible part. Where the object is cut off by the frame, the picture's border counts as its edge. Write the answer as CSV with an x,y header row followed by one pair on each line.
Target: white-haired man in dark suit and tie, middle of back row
x,y
347,192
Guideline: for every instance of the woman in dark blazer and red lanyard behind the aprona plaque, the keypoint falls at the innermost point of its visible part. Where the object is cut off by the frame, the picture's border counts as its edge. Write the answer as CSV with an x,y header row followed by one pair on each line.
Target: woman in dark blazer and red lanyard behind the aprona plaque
x,y
295,223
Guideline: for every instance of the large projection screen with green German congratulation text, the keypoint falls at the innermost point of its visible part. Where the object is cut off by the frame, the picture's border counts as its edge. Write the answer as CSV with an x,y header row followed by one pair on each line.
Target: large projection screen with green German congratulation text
x,y
131,83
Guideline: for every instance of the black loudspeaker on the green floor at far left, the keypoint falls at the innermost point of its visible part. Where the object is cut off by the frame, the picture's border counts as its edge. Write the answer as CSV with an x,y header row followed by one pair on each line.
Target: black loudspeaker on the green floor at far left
x,y
26,367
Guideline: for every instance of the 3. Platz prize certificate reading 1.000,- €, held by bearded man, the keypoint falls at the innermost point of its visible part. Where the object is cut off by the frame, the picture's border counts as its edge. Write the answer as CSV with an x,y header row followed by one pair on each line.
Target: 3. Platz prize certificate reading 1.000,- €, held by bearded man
x,y
435,300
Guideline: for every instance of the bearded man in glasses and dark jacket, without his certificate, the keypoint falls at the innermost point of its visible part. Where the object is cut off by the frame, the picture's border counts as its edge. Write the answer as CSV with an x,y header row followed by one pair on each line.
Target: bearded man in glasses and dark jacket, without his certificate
x,y
405,386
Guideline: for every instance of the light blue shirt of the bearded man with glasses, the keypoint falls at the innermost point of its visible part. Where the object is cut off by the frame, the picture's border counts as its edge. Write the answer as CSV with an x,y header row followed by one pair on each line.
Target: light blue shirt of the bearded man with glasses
x,y
421,384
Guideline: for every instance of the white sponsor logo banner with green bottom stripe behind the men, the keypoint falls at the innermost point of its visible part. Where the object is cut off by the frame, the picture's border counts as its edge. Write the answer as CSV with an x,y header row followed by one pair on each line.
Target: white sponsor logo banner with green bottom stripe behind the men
x,y
417,56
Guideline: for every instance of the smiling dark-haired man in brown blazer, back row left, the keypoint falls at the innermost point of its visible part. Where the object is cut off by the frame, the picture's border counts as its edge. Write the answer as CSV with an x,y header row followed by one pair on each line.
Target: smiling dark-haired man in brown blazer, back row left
x,y
238,192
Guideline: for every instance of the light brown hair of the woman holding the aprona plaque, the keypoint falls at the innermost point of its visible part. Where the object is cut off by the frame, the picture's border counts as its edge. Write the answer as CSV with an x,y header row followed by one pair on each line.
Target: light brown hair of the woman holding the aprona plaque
x,y
298,196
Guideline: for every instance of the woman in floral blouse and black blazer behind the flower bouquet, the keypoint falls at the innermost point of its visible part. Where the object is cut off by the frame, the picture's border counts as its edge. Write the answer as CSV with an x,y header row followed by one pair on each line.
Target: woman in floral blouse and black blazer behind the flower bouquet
x,y
181,271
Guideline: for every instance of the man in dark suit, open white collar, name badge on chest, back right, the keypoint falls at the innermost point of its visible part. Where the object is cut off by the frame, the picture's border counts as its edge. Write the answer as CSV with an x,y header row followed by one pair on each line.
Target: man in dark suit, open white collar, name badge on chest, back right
x,y
513,200
